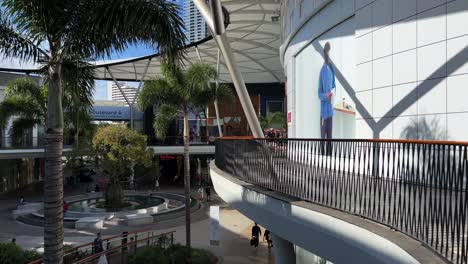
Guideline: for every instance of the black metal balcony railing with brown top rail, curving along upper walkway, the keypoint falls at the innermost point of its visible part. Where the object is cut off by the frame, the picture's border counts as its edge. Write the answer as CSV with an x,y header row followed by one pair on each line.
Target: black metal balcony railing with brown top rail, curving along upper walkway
x,y
416,187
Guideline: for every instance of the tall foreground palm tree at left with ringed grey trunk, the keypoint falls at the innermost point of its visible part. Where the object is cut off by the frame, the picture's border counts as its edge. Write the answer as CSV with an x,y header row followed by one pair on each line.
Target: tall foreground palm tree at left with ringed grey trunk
x,y
73,32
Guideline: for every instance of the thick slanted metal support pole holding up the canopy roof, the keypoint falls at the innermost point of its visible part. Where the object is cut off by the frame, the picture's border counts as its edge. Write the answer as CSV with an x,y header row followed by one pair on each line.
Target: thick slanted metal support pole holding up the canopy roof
x,y
236,76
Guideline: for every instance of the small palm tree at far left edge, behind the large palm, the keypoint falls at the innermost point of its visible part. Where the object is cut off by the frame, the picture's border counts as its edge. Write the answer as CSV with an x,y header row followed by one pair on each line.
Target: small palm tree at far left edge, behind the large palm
x,y
25,100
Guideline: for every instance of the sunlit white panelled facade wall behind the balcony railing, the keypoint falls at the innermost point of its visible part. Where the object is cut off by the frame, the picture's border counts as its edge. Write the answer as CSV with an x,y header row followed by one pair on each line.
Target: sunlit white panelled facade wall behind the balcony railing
x,y
401,64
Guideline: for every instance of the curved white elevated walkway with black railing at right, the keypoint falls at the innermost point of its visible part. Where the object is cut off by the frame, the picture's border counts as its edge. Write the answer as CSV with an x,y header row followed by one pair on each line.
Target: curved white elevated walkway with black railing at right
x,y
350,201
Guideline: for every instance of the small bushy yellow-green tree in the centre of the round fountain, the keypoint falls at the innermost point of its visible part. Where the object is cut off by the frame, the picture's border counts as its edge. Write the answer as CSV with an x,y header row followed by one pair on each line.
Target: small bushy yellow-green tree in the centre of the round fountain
x,y
121,148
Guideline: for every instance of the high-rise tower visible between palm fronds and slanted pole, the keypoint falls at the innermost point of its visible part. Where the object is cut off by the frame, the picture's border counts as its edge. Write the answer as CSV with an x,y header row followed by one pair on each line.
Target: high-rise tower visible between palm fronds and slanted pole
x,y
195,26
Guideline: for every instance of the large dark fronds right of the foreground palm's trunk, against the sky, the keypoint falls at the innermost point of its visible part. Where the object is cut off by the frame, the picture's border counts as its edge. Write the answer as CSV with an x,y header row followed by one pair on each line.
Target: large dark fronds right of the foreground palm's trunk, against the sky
x,y
101,27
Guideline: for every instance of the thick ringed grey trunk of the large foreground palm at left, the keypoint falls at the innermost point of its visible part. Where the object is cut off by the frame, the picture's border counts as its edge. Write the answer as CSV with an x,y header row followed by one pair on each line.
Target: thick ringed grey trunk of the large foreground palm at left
x,y
53,180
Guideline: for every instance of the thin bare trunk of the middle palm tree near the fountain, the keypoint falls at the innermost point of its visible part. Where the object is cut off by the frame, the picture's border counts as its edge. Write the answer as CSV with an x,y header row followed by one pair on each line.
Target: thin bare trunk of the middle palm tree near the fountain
x,y
187,178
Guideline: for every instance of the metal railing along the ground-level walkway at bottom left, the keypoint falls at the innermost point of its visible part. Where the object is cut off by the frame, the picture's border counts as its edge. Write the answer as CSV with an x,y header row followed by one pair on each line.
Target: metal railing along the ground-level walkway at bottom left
x,y
127,242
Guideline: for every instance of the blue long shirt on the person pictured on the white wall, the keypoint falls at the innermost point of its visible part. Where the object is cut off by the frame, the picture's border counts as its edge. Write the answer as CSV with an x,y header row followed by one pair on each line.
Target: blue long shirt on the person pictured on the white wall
x,y
326,84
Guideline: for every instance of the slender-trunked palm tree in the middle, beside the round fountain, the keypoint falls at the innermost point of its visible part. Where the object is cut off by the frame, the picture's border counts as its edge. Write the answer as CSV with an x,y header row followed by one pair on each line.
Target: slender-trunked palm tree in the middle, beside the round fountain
x,y
178,93
